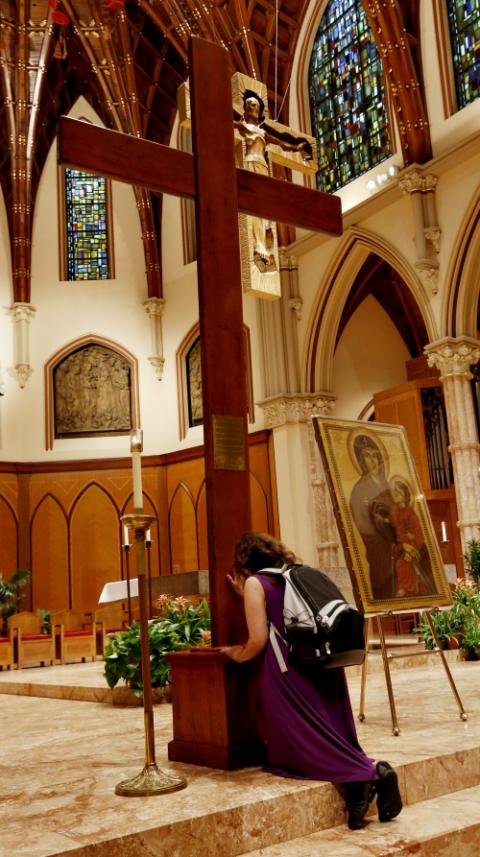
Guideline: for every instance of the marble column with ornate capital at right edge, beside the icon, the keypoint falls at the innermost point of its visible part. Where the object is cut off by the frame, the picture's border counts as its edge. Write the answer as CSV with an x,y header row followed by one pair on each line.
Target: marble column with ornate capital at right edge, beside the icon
x,y
453,358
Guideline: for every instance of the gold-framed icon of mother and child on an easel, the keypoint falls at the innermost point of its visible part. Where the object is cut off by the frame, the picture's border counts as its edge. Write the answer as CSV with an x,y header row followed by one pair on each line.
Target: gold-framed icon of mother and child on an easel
x,y
382,516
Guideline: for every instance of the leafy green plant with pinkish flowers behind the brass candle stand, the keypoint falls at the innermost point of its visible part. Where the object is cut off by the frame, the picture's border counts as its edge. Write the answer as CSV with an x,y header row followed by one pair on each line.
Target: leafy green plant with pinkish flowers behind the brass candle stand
x,y
179,625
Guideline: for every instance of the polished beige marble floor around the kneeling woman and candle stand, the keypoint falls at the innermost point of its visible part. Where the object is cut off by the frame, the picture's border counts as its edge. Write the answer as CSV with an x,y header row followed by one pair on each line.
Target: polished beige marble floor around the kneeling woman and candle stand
x,y
62,757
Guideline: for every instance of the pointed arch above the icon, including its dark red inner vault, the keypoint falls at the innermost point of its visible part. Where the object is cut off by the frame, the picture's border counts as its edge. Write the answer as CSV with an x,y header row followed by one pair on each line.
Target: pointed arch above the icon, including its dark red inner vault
x,y
349,279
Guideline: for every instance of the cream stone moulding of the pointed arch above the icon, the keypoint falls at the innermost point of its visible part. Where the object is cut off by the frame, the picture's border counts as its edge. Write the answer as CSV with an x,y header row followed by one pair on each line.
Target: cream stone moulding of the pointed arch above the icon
x,y
355,248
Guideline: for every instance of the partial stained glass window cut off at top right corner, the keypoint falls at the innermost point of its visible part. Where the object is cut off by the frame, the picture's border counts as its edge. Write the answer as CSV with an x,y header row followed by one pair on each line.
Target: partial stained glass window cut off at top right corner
x,y
464,22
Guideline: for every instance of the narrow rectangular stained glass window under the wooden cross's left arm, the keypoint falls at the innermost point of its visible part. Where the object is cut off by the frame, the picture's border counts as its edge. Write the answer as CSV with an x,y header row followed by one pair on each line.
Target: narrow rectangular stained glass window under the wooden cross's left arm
x,y
86,225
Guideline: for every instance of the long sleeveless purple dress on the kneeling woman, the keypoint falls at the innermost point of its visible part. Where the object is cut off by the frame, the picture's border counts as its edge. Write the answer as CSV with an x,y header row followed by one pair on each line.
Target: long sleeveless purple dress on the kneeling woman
x,y
308,723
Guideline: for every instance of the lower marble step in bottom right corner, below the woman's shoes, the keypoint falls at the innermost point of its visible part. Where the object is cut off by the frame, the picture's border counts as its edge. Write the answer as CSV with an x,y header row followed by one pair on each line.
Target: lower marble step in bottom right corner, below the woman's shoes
x,y
442,827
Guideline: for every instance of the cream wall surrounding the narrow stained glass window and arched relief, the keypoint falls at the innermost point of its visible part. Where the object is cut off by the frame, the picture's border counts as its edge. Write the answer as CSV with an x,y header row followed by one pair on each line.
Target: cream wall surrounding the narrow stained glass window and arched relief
x,y
66,311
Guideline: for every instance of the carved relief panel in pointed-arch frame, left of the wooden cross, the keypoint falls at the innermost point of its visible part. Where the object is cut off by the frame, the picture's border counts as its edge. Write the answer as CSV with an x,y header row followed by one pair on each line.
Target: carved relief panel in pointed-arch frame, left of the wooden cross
x,y
109,371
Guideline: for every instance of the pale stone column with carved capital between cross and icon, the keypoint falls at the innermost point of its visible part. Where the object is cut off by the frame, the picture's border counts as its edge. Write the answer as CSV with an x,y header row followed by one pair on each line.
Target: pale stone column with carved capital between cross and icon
x,y
306,517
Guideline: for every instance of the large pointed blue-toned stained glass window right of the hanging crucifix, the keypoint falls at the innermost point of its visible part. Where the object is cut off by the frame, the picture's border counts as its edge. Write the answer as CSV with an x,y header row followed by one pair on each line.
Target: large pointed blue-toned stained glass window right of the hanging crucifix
x,y
347,101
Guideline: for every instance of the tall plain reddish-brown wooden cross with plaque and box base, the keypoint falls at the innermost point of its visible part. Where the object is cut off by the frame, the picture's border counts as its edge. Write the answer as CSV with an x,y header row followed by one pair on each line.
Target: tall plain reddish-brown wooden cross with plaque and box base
x,y
208,695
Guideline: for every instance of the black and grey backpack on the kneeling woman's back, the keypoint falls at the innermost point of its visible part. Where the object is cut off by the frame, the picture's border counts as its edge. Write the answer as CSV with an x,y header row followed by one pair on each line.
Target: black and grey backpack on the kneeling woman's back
x,y
320,628
